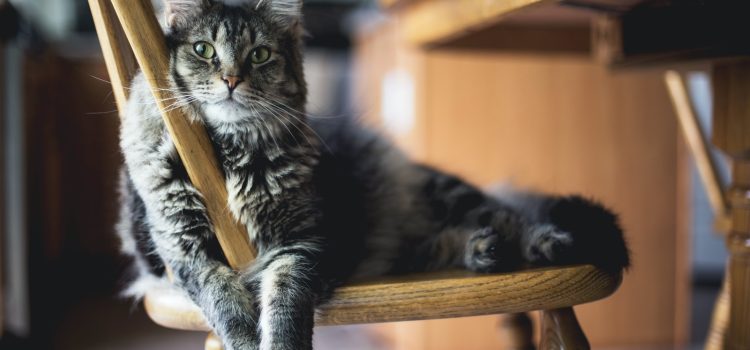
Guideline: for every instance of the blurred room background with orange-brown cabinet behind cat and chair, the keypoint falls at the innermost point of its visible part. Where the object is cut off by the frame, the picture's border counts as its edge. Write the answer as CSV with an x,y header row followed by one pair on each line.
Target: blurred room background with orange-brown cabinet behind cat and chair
x,y
525,101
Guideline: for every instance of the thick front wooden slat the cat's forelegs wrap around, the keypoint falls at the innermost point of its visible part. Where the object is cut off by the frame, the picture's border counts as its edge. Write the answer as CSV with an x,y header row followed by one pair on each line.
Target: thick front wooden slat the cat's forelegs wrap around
x,y
191,140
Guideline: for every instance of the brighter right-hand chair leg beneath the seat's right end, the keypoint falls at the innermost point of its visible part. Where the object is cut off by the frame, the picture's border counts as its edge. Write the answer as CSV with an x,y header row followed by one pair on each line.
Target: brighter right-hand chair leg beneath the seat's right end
x,y
561,331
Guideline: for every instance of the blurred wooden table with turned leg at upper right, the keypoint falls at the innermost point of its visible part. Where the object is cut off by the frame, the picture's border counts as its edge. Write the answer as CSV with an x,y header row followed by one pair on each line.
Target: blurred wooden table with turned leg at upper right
x,y
626,34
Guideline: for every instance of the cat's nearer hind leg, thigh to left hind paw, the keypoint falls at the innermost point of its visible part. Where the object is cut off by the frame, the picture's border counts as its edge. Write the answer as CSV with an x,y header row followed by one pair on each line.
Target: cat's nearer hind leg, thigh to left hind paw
x,y
474,230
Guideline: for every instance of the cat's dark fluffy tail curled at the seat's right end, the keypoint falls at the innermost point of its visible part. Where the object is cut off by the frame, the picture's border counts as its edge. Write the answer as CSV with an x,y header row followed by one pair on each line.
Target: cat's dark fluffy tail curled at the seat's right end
x,y
598,238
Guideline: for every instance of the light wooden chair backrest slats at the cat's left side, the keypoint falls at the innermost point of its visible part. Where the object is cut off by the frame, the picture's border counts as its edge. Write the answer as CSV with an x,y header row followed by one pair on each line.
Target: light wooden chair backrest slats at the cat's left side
x,y
117,20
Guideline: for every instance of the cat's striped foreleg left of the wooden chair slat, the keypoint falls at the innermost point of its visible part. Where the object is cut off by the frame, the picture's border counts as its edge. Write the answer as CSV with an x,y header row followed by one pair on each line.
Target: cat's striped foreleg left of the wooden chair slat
x,y
181,238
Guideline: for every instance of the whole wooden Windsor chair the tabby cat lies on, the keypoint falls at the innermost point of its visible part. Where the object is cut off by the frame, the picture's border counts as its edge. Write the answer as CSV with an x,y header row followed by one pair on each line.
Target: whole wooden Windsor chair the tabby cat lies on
x,y
125,24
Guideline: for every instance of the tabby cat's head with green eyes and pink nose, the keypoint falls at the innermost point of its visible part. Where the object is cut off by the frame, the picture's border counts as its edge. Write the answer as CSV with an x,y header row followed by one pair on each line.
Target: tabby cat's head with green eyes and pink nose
x,y
237,59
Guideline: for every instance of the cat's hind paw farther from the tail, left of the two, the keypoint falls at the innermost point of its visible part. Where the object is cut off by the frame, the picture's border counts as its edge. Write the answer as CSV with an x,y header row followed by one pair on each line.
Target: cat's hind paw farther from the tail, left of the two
x,y
487,251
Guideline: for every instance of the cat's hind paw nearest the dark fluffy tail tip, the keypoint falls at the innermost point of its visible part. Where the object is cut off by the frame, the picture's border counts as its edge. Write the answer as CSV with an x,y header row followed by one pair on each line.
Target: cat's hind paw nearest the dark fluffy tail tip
x,y
547,244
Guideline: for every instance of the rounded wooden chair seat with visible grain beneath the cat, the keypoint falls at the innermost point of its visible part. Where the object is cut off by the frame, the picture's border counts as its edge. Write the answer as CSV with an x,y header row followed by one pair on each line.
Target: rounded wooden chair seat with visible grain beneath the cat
x,y
453,293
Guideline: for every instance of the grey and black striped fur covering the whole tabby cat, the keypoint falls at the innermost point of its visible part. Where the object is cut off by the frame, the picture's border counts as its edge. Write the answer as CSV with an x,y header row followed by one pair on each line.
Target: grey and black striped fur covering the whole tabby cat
x,y
325,202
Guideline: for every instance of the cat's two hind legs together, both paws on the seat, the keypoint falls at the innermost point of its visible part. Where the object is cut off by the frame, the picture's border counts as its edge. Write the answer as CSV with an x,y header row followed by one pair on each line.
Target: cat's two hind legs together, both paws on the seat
x,y
483,234
